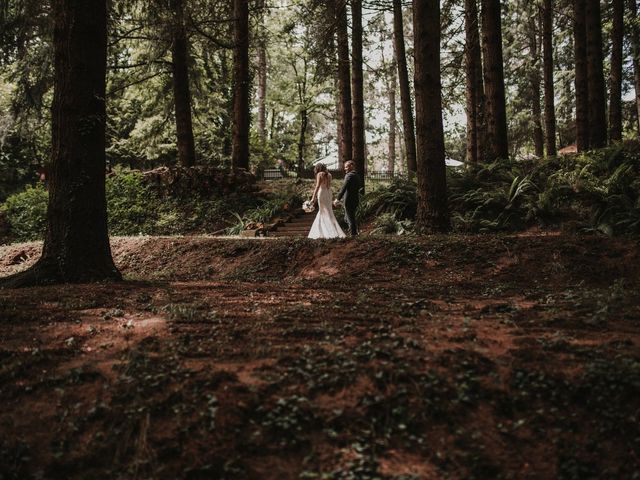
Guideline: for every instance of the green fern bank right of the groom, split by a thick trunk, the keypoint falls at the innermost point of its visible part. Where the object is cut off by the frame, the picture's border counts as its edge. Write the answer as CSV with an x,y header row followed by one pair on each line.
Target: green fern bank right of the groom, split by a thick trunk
x,y
598,191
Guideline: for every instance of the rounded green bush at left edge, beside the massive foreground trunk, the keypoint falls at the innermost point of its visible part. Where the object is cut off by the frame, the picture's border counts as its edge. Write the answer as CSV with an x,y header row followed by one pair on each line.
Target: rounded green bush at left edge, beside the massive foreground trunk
x,y
26,213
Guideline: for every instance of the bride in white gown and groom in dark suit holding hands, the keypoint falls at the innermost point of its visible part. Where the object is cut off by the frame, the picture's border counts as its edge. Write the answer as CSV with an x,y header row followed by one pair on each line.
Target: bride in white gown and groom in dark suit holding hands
x,y
325,225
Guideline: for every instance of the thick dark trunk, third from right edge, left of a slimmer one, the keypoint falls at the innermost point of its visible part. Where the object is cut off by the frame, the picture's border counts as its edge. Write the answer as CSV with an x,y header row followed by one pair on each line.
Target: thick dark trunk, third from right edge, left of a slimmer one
x,y
595,74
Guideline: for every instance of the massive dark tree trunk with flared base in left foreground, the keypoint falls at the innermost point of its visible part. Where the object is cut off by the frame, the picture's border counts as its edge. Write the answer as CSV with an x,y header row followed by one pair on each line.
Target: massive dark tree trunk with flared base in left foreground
x,y
76,246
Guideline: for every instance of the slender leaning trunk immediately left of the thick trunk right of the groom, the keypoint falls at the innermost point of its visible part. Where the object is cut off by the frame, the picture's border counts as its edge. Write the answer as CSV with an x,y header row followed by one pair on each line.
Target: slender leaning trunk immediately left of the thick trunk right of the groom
x,y
405,91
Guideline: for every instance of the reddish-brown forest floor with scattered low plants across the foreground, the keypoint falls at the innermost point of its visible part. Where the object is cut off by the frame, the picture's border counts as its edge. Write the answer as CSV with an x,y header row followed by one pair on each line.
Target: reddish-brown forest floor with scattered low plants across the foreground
x,y
514,356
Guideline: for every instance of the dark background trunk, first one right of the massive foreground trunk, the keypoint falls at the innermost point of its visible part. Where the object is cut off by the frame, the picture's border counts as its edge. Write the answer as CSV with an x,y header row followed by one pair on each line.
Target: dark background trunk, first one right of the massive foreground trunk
x,y
181,90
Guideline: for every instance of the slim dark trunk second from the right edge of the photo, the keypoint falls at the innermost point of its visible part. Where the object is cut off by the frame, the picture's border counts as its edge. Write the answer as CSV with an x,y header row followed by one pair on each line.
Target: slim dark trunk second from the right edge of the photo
x,y
615,79
